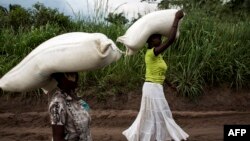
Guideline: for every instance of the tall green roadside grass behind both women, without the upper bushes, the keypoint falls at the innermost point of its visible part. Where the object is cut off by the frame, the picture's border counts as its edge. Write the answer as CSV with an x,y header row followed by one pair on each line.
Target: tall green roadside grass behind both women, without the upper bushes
x,y
209,52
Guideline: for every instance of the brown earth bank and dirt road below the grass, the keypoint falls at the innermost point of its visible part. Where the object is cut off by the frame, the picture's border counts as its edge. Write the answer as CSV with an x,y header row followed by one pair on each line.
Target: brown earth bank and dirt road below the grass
x,y
25,118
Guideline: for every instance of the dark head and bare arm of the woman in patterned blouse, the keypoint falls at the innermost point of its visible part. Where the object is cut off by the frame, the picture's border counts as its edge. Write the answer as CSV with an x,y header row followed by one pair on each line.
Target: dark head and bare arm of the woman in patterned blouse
x,y
67,85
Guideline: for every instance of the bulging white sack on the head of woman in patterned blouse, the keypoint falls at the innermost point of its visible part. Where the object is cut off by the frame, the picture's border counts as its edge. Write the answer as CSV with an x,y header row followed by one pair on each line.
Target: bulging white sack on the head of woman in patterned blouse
x,y
70,52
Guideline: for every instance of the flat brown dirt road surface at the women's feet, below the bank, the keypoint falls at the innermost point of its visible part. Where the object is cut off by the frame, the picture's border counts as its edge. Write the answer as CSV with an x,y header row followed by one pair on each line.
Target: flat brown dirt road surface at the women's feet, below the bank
x,y
107,125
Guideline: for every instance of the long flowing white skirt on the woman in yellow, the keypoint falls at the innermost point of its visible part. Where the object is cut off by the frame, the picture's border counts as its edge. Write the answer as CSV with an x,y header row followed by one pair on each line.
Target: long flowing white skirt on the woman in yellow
x,y
154,121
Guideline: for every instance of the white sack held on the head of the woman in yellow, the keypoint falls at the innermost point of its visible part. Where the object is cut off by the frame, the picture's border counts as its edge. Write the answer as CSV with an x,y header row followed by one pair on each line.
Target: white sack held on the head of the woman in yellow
x,y
157,22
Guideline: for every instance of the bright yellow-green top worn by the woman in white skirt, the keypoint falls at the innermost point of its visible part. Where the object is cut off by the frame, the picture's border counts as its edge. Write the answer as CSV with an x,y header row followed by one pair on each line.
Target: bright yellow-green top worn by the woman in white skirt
x,y
156,67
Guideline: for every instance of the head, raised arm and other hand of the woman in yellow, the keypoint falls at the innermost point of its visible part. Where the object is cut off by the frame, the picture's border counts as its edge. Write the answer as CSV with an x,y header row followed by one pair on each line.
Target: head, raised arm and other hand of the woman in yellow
x,y
155,41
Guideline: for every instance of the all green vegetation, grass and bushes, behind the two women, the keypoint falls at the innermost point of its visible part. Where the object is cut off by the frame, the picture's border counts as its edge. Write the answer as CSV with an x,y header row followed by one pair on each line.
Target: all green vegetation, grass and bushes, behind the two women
x,y
213,48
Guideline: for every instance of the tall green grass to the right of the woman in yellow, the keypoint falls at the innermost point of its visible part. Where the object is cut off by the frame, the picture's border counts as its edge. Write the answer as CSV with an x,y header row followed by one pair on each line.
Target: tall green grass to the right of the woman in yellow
x,y
210,52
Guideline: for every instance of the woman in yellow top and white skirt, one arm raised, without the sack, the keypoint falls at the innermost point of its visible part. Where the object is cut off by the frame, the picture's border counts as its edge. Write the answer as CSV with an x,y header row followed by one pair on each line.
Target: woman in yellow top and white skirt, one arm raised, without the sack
x,y
154,121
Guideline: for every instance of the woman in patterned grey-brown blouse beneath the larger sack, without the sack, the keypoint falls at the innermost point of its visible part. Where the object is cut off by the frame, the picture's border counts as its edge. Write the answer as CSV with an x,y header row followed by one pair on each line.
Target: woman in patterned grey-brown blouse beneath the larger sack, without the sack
x,y
69,116
